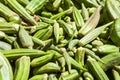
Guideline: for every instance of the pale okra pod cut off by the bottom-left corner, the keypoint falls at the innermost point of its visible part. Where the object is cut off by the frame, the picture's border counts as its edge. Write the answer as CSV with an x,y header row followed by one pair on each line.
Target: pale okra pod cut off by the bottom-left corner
x,y
6,72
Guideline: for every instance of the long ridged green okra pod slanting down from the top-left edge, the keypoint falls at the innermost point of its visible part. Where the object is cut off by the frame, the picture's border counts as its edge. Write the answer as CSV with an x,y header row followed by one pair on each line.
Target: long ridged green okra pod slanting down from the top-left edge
x,y
21,11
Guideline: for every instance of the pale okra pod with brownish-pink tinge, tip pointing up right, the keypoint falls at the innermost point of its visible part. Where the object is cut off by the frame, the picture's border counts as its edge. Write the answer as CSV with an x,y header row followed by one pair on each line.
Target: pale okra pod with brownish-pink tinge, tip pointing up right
x,y
91,23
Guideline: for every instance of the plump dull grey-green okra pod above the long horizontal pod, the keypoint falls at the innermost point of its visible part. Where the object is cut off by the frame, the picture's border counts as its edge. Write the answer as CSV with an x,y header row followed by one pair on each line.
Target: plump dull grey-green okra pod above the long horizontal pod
x,y
25,38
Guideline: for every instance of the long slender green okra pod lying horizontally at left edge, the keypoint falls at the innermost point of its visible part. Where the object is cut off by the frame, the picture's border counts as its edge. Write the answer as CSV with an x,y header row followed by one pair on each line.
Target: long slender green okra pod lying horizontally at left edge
x,y
16,53
